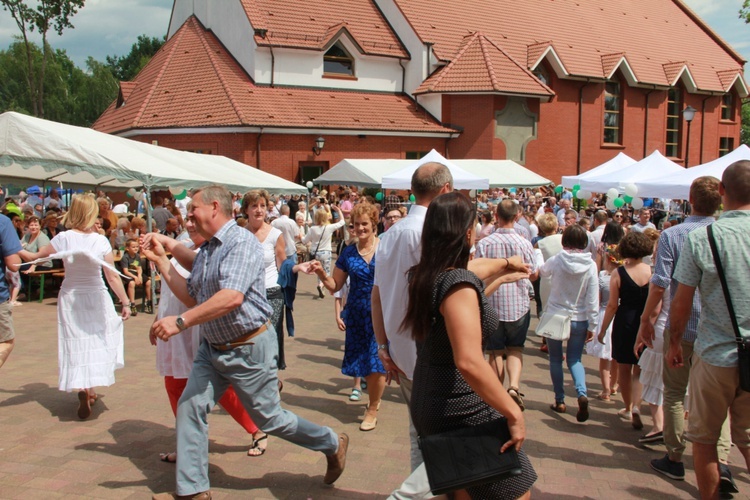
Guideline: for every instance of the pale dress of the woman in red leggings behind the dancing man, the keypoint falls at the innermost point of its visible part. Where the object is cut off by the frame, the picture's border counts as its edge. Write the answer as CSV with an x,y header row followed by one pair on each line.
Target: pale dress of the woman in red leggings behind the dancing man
x,y
175,357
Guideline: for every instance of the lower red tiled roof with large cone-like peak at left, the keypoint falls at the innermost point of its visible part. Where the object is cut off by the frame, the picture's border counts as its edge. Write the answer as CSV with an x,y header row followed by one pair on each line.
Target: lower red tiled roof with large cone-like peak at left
x,y
194,82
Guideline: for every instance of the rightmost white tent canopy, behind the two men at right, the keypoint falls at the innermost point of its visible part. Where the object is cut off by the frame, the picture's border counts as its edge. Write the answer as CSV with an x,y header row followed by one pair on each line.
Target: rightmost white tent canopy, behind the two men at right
x,y
677,185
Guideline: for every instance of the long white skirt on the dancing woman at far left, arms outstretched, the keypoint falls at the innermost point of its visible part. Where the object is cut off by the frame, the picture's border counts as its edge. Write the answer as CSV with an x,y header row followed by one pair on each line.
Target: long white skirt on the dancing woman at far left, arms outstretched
x,y
90,339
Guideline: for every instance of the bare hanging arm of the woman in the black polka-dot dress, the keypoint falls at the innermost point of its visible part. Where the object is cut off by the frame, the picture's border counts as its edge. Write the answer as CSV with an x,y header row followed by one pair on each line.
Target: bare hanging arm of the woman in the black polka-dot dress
x,y
465,335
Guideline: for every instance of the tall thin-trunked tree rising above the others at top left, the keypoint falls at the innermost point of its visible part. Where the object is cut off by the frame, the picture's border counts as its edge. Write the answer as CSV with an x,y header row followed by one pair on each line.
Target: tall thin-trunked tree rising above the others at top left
x,y
43,16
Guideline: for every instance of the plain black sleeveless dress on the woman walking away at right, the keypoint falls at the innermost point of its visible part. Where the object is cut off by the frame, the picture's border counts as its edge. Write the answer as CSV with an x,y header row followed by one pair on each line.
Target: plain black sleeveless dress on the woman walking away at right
x,y
627,318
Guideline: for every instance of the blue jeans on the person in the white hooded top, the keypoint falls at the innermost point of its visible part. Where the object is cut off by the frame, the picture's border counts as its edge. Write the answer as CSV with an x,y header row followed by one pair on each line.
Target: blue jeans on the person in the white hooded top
x,y
573,353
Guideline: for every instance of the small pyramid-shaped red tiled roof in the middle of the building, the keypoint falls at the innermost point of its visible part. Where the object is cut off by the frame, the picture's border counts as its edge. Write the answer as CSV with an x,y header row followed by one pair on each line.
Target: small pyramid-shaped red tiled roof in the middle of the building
x,y
482,66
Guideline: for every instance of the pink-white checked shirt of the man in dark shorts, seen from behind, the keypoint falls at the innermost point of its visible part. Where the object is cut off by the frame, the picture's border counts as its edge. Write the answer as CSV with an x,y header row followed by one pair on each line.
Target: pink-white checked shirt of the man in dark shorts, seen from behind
x,y
511,300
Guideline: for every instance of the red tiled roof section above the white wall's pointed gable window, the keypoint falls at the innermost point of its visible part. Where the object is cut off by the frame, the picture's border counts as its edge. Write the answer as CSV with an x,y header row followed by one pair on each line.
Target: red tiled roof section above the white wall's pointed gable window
x,y
310,24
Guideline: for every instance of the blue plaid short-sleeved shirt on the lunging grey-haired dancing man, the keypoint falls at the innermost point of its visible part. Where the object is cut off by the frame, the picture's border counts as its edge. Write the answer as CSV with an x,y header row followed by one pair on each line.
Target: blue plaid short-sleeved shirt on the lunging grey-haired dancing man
x,y
231,260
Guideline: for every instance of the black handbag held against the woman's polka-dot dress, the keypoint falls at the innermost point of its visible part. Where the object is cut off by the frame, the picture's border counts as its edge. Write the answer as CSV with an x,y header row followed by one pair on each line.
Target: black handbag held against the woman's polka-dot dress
x,y
469,456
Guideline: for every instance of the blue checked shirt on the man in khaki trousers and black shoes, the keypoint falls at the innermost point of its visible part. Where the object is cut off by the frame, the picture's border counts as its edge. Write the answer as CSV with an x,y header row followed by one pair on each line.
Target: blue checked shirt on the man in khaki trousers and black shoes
x,y
671,242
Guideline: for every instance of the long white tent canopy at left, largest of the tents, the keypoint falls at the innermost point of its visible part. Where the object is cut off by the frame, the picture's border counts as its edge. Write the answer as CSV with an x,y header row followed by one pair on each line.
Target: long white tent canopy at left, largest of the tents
x,y
39,150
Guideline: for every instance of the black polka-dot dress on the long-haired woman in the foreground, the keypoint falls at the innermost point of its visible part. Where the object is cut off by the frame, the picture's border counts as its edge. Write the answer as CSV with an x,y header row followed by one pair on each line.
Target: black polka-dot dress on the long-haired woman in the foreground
x,y
442,400
